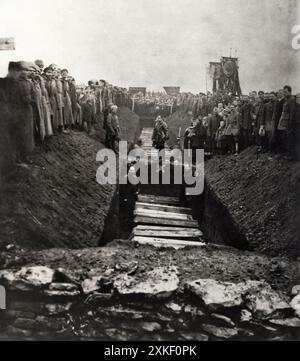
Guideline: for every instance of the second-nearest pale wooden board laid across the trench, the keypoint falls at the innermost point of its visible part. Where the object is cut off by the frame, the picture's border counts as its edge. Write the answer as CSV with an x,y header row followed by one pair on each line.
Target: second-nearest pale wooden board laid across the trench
x,y
161,233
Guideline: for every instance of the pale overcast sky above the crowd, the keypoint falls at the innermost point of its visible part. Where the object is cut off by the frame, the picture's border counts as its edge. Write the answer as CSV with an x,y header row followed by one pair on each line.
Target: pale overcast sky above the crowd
x,y
155,43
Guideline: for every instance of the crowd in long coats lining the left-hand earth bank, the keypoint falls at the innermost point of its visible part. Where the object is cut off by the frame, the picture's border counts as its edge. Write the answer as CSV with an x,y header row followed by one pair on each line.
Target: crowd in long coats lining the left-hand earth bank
x,y
38,102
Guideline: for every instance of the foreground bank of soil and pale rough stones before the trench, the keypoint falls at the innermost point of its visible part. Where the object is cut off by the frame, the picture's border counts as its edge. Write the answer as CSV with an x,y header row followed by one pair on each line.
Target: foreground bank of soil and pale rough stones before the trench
x,y
124,292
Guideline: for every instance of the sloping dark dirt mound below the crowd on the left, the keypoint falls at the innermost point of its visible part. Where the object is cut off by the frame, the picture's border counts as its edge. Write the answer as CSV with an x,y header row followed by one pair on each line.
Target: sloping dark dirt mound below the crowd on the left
x,y
56,201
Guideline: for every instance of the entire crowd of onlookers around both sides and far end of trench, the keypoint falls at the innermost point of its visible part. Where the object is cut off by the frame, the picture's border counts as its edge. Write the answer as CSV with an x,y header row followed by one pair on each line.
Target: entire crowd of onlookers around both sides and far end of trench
x,y
39,102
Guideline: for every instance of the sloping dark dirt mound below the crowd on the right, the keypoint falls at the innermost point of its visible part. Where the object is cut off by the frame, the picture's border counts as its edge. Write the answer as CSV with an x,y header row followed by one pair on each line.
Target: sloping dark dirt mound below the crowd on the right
x,y
261,194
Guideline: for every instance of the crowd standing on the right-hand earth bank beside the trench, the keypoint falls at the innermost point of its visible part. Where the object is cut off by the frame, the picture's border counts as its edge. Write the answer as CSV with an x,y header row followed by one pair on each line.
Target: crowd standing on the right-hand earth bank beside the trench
x,y
225,124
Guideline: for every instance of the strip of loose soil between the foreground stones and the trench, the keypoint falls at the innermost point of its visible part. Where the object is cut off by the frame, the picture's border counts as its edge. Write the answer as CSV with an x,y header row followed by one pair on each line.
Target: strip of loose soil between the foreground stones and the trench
x,y
221,264
